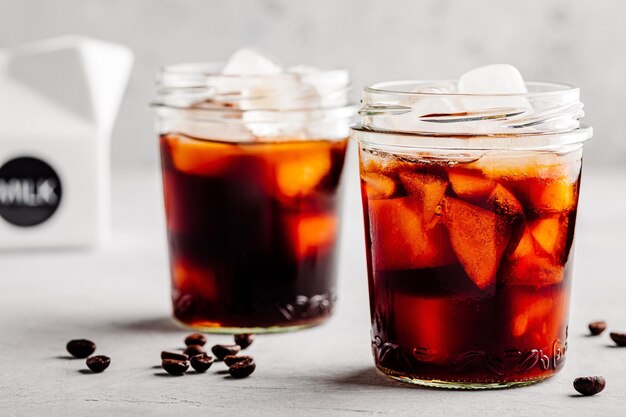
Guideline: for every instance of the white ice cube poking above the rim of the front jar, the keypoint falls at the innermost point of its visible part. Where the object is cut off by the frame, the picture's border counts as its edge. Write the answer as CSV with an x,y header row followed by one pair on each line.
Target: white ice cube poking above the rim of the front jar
x,y
492,79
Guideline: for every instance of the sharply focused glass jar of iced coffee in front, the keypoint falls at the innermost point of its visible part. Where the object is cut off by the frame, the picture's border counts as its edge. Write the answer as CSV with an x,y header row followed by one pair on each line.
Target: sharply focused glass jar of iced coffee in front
x,y
469,204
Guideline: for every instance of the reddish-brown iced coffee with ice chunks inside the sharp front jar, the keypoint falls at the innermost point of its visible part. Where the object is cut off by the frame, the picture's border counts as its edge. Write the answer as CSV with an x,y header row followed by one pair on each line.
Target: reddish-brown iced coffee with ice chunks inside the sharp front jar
x,y
469,271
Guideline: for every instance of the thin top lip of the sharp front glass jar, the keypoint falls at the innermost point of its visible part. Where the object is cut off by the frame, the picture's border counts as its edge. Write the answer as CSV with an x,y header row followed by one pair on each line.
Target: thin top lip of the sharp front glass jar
x,y
535,89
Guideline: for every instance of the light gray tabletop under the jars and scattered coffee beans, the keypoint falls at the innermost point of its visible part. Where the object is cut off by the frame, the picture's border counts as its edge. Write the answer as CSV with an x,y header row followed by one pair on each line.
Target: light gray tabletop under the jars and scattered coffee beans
x,y
118,296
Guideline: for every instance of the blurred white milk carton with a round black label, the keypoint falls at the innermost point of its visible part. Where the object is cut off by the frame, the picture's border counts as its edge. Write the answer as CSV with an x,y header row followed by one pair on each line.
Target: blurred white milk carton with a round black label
x,y
58,103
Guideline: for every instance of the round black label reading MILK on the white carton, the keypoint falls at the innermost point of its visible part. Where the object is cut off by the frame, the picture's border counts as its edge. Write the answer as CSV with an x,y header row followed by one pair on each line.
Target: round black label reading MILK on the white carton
x,y
30,191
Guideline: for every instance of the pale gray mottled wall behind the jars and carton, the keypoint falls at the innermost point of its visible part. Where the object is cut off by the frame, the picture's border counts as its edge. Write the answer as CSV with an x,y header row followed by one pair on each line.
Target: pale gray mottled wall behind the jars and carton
x,y
579,42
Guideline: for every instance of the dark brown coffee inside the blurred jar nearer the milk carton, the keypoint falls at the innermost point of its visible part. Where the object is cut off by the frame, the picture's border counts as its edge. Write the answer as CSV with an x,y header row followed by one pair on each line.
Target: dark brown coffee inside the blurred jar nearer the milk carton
x,y
252,229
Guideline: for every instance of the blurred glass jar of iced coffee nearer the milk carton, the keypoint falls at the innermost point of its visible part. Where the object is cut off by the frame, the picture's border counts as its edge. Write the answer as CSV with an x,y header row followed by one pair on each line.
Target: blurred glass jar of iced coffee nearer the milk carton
x,y
251,167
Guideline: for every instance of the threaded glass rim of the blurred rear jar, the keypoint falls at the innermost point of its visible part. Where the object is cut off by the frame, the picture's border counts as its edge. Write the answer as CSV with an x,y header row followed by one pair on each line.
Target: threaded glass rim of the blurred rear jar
x,y
202,86
